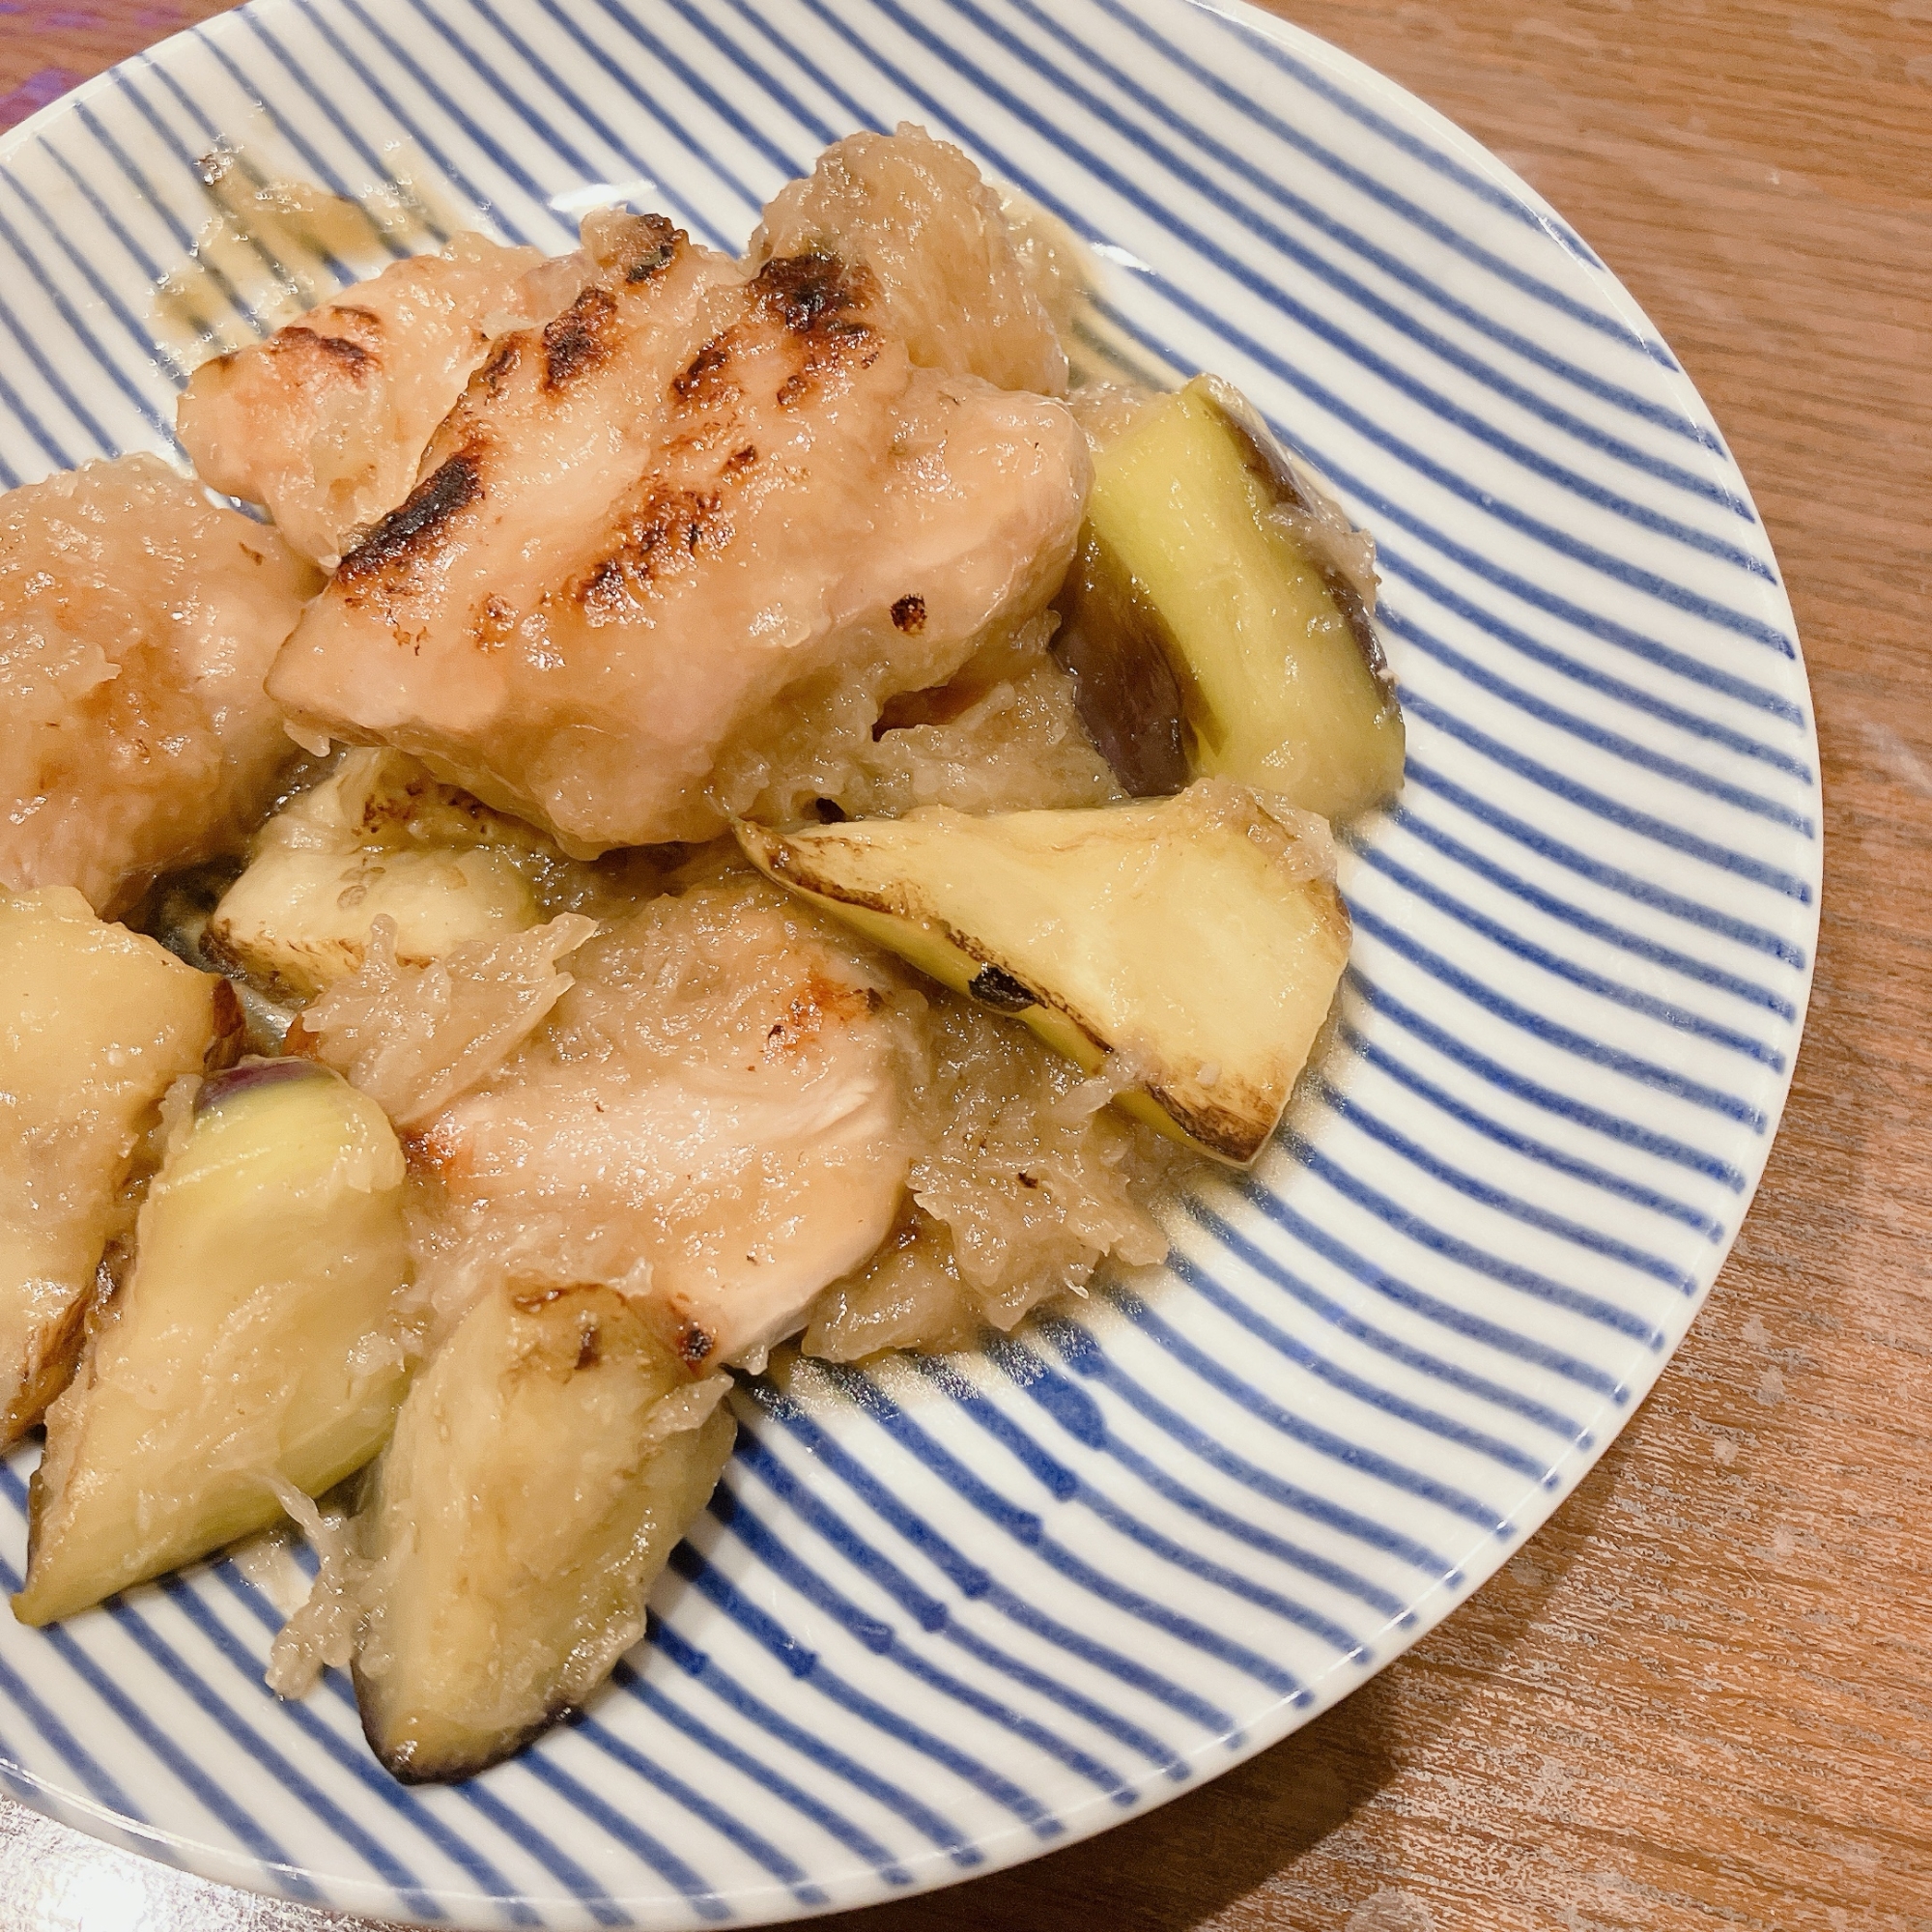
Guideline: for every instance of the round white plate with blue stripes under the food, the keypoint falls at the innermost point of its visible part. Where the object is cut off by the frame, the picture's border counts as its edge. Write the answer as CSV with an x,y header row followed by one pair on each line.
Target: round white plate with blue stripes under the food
x,y
950,1614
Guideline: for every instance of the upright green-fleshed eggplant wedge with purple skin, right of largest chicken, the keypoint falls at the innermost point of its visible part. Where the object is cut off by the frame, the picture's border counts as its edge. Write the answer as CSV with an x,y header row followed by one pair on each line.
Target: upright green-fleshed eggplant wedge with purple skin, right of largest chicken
x,y
1218,617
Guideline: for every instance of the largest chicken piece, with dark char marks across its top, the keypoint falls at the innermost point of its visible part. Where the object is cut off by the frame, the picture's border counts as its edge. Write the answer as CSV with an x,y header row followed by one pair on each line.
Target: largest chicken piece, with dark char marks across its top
x,y
668,519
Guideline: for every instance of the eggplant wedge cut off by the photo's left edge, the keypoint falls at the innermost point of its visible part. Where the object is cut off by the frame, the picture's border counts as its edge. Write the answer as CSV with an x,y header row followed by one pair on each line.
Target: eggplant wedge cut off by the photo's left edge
x,y
96,1025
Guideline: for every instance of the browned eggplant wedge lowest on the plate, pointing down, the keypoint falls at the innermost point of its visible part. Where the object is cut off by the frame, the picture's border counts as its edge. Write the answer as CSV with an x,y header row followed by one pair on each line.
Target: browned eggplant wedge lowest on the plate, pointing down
x,y
544,1469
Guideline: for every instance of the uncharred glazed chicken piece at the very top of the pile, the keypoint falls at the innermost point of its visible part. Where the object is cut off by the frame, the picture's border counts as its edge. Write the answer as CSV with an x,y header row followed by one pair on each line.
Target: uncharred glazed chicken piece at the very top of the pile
x,y
917,215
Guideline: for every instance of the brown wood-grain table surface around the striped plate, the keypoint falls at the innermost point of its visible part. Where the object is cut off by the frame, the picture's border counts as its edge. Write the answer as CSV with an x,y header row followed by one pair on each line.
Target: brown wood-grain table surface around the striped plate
x,y
1703,1697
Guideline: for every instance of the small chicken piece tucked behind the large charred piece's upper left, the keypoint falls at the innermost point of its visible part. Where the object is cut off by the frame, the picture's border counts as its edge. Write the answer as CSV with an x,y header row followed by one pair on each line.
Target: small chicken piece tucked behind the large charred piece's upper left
x,y
326,422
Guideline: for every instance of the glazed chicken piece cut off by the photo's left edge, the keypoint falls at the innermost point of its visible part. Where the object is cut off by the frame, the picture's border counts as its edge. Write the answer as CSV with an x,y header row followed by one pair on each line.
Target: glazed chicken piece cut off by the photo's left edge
x,y
136,627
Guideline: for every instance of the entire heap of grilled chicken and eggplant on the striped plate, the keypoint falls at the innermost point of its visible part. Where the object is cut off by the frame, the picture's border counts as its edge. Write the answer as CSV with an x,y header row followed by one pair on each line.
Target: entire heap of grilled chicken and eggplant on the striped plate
x,y
708,807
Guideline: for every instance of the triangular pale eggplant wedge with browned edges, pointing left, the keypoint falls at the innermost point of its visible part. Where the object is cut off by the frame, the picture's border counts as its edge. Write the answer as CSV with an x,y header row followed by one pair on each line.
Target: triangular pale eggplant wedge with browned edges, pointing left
x,y
1195,944
